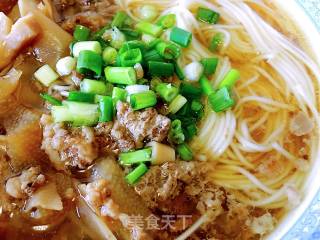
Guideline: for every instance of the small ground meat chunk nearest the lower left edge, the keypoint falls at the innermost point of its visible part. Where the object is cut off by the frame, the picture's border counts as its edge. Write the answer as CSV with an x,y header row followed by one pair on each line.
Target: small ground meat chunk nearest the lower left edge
x,y
26,183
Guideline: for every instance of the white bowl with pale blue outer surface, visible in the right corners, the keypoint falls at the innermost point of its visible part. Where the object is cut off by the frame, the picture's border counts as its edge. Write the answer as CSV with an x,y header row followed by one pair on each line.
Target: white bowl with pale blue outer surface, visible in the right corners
x,y
302,222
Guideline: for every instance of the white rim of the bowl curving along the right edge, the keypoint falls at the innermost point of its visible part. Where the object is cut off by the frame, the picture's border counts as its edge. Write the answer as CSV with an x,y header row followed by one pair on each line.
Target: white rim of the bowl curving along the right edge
x,y
311,38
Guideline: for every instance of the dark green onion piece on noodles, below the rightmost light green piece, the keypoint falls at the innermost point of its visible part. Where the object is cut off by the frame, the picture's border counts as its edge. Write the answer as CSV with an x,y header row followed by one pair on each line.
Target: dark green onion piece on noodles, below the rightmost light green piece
x,y
221,100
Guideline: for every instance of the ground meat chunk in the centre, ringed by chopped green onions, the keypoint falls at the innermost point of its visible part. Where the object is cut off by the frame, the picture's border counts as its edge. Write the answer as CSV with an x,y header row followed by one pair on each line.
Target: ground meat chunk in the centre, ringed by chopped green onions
x,y
143,125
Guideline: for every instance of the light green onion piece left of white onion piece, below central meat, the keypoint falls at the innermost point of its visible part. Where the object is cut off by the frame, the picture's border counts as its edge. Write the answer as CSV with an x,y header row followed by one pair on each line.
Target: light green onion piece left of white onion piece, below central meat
x,y
129,158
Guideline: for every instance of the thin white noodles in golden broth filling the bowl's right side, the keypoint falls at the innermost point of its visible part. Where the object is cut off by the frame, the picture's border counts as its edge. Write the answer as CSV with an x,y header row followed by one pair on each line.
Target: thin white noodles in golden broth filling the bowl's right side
x,y
258,157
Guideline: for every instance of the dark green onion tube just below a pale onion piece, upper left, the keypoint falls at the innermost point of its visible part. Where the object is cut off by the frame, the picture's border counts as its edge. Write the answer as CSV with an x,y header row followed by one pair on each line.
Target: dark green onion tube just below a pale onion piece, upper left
x,y
89,61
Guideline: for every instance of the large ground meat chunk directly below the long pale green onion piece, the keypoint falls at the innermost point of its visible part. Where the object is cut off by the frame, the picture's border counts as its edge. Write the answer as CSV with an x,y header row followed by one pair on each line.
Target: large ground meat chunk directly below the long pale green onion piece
x,y
75,147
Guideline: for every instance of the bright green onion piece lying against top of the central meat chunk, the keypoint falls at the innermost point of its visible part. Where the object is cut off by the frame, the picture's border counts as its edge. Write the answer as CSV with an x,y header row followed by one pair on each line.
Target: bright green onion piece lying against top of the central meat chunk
x,y
143,100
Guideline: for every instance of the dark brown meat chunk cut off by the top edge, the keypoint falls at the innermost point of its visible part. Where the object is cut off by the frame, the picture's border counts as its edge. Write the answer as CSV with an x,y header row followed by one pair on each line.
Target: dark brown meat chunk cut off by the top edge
x,y
91,13
